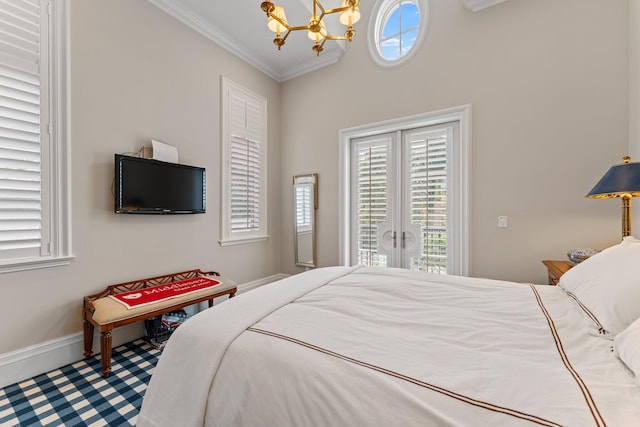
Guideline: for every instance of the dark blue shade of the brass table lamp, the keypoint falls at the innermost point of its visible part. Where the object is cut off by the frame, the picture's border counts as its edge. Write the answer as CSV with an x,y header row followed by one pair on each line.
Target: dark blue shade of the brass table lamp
x,y
619,181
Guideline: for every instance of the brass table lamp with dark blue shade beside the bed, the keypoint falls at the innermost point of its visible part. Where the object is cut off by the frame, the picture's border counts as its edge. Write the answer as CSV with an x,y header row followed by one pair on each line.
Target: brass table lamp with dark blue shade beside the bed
x,y
620,181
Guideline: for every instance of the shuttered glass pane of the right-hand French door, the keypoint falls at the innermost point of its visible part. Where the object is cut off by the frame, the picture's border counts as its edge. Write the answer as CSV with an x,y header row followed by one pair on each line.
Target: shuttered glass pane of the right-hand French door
x,y
426,239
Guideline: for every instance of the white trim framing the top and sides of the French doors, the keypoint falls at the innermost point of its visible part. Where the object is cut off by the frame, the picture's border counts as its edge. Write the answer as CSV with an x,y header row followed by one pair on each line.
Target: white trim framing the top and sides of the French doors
x,y
461,179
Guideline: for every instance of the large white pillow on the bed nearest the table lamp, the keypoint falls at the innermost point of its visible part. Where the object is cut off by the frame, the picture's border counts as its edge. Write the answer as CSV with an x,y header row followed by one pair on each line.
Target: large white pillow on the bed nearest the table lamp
x,y
608,285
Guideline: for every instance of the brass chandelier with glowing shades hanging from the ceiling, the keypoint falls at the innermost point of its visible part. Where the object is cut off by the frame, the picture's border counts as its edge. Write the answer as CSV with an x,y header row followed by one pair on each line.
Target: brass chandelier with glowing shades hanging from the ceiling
x,y
317,30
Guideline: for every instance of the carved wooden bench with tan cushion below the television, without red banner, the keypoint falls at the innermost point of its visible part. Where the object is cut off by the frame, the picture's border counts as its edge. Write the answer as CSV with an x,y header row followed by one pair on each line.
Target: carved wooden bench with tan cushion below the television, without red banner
x,y
106,313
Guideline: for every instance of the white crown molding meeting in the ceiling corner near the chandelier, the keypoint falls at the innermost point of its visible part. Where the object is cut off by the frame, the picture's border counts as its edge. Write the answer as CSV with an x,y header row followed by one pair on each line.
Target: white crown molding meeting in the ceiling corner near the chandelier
x,y
199,25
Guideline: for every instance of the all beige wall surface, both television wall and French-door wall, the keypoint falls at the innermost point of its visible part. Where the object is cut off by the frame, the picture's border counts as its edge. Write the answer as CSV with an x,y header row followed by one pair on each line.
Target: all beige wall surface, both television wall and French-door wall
x,y
548,85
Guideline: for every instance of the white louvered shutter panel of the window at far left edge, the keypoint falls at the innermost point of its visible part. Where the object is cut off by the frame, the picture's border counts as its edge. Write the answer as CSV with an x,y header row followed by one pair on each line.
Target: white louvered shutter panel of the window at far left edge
x,y
20,136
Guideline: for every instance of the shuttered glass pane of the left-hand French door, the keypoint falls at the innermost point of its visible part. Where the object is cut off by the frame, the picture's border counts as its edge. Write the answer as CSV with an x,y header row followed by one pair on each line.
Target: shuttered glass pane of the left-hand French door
x,y
372,226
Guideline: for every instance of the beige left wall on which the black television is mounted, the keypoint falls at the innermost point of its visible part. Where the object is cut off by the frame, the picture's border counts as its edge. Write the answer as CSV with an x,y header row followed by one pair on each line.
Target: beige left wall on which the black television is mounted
x,y
138,74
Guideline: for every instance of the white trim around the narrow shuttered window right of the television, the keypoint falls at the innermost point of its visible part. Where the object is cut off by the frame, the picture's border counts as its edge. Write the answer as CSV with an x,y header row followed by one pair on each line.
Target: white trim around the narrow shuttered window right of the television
x,y
226,237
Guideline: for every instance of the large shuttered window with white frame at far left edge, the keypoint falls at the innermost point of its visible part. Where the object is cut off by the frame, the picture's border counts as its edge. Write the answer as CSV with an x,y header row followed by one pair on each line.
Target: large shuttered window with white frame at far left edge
x,y
33,215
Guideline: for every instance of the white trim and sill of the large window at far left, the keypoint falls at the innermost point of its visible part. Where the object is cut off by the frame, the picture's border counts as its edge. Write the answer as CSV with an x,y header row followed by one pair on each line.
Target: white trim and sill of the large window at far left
x,y
59,159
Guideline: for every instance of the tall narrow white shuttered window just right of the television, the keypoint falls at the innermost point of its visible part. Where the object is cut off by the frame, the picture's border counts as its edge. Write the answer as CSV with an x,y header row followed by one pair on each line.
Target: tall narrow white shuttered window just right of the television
x,y
244,147
